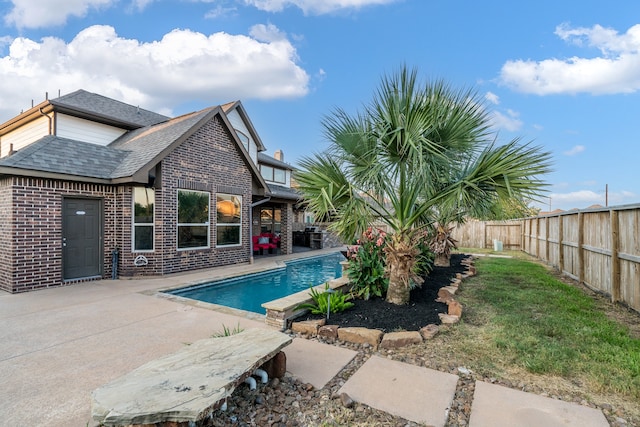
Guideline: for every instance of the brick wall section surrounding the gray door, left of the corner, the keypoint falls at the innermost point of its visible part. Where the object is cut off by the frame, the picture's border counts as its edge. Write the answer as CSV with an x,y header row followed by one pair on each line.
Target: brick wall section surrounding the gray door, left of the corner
x,y
34,231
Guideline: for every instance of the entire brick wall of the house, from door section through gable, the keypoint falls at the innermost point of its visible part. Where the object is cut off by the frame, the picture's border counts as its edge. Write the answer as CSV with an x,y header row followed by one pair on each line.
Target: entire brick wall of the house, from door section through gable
x,y
31,216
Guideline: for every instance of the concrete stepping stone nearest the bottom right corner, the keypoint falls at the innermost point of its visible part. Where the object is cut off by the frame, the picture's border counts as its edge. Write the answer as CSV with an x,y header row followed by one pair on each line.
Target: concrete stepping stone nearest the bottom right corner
x,y
495,405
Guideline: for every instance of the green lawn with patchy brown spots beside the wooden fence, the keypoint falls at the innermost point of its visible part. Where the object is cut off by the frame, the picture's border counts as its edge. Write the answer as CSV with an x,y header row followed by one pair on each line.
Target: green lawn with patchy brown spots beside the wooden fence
x,y
520,316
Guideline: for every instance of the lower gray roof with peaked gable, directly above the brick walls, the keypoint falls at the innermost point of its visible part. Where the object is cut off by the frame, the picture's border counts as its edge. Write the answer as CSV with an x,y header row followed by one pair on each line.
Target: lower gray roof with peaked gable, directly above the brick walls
x,y
127,159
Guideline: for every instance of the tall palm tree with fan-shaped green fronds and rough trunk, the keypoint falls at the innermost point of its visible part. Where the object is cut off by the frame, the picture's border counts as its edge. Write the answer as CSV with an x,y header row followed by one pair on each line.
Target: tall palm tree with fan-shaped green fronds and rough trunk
x,y
416,149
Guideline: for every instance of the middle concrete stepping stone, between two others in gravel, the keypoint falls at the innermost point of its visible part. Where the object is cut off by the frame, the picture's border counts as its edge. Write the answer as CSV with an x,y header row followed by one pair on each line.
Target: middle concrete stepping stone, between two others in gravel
x,y
412,392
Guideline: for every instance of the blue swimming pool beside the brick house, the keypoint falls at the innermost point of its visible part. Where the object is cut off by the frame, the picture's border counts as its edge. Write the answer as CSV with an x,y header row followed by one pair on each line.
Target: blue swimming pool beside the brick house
x,y
251,291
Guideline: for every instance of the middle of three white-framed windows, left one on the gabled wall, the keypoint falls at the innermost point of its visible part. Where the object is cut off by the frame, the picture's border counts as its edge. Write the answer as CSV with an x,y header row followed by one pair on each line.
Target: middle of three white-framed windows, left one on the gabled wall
x,y
193,219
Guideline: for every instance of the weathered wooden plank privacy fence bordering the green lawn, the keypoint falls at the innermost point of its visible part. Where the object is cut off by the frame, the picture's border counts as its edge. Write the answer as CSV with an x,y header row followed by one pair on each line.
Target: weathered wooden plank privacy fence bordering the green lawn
x,y
597,247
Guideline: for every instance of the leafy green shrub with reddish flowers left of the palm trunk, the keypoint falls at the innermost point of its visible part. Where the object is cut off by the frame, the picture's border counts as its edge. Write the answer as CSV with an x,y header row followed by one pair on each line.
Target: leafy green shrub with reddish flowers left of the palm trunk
x,y
367,265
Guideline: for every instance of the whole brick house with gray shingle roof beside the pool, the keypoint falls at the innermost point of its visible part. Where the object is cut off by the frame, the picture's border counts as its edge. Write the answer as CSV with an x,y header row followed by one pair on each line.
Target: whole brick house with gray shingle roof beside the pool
x,y
94,188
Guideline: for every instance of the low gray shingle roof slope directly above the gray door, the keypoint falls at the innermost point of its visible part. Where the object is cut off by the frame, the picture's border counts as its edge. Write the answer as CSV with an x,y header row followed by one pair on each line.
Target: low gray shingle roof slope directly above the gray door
x,y
66,156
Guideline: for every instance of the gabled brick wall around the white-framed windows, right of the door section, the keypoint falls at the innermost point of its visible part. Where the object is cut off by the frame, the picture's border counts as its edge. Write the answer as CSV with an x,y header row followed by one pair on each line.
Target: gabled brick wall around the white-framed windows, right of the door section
x,y
207,161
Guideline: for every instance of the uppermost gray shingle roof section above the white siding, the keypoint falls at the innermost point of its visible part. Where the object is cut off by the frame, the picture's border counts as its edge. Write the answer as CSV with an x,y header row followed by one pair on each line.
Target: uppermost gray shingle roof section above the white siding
x,y
107,108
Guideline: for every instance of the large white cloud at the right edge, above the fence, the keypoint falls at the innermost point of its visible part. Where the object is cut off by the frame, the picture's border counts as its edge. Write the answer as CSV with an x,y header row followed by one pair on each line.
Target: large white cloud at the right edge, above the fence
x,y
616,70
